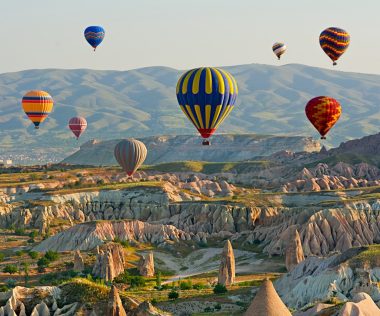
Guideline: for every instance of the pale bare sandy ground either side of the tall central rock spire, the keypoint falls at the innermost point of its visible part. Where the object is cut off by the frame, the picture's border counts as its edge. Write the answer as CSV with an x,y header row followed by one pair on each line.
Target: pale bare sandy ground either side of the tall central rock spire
x,y
203,261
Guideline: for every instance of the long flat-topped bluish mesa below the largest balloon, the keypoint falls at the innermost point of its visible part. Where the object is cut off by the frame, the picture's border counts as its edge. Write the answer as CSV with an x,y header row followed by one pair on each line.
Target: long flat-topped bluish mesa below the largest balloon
x,y
180,148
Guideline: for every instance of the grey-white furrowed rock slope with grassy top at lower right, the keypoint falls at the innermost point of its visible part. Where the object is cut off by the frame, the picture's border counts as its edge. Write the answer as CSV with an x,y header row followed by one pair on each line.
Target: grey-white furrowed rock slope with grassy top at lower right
x,y
319,279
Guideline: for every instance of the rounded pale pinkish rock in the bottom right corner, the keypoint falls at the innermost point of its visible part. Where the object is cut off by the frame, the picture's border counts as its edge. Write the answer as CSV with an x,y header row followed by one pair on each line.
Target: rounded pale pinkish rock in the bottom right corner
x,y
361,305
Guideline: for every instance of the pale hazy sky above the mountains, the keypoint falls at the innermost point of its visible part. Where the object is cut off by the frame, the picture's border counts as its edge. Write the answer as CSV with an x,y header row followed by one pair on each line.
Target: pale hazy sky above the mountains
x,y
184,33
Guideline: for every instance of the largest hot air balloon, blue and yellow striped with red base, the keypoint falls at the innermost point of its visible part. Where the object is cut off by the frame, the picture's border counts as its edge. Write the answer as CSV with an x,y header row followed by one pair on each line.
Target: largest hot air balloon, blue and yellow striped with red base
x,y
206,96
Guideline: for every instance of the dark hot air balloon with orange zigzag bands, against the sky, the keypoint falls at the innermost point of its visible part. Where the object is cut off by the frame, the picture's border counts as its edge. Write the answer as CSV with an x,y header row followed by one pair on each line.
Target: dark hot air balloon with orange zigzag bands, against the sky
x,y
334,42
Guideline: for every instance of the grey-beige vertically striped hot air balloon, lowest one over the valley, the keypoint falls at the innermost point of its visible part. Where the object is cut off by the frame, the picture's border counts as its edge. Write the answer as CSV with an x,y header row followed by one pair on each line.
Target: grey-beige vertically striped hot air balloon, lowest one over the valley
x,y
130,154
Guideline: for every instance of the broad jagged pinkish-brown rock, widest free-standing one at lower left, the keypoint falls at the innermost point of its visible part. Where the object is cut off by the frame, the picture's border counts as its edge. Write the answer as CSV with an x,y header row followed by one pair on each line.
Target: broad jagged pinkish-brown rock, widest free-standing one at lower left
x,y
110,262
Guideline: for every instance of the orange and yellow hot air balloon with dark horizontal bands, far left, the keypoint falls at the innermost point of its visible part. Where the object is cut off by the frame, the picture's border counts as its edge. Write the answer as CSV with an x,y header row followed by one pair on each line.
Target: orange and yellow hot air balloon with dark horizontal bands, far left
x,y
37,105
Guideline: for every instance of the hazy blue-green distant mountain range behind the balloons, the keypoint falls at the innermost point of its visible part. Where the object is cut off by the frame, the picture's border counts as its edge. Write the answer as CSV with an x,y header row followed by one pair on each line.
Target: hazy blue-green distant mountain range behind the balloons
x,y
142,102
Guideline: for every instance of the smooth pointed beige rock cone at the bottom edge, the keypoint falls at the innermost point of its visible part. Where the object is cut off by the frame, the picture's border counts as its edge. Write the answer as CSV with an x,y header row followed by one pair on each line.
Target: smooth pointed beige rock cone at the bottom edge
x,y
267,302
